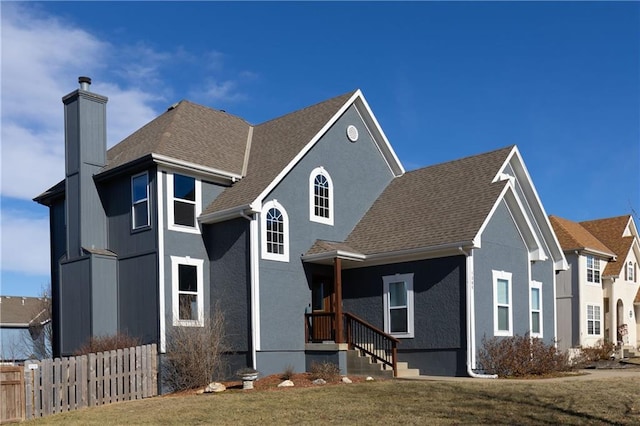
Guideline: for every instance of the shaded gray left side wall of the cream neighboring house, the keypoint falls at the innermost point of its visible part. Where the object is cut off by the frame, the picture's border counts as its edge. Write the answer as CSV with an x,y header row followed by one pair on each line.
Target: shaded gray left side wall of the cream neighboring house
x,y
568,305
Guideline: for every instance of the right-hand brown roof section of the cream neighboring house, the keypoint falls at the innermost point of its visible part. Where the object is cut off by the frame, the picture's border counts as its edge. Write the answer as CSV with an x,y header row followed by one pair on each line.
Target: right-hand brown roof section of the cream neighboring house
x,y
610,231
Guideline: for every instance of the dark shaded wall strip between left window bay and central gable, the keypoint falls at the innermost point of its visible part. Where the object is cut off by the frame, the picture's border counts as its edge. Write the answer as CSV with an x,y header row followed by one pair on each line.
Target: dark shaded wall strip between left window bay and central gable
x,y
228,246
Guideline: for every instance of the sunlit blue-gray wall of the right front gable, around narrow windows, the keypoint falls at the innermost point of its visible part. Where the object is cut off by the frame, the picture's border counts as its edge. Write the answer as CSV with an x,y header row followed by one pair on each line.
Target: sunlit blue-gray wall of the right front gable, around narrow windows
x,y
504,250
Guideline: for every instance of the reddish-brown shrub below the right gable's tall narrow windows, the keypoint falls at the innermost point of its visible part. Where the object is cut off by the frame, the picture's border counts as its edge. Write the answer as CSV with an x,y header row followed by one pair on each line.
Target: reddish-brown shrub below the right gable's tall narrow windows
x,y
519,356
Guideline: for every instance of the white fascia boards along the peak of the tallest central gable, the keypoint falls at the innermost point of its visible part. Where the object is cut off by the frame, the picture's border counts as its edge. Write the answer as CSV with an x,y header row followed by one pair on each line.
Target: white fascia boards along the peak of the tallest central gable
x,y
356,96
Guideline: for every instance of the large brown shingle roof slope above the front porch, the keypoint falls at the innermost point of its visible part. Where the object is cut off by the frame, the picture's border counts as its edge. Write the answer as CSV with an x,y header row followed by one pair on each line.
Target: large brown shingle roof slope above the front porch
x,y
432,206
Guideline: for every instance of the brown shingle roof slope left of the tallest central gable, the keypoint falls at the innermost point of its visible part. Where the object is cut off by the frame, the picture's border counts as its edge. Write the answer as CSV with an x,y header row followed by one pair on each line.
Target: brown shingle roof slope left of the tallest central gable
x,y
274,144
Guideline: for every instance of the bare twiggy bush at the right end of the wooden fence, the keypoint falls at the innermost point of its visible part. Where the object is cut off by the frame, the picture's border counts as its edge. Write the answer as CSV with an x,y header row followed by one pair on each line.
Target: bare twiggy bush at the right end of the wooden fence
x,y
195,354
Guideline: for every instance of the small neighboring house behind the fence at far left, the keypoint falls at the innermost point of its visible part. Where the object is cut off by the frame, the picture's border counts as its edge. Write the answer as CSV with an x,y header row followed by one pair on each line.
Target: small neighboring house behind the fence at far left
x,y
22,328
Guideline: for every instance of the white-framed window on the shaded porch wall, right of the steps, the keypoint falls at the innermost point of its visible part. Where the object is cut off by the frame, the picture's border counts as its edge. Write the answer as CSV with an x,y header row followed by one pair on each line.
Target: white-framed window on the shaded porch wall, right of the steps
x,y
398,305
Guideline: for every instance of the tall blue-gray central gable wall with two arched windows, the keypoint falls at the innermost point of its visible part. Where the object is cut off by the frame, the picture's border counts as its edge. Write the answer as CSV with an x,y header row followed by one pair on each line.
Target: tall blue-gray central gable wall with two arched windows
x,y
359,174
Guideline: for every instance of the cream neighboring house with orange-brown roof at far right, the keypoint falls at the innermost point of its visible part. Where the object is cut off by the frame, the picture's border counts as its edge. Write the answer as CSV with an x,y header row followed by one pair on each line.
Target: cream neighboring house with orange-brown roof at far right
x,y
598,296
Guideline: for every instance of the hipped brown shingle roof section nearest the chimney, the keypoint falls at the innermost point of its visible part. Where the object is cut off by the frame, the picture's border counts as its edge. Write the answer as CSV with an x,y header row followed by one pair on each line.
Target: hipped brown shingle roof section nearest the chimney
x,y
188,132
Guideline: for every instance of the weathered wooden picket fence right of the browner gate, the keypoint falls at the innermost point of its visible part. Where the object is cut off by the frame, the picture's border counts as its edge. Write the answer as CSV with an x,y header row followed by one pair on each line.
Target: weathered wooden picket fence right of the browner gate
x,y
67,384
